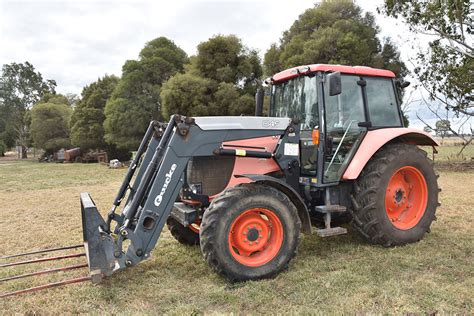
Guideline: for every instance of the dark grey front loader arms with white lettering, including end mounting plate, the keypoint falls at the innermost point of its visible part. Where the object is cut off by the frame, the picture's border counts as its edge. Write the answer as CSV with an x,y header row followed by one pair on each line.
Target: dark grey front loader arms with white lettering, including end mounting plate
x,y
164,154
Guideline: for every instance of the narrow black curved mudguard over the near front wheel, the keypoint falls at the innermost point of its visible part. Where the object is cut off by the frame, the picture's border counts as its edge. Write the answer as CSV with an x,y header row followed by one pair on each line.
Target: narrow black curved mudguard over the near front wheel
x,y
303,212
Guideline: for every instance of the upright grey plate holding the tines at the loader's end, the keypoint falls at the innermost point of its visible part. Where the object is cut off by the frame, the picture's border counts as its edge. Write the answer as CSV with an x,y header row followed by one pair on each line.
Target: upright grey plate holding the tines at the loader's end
x,y
98,245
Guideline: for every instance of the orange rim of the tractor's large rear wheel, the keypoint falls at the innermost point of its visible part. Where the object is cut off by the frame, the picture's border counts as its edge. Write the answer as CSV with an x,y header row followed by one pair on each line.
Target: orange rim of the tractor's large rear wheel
x,y
406,197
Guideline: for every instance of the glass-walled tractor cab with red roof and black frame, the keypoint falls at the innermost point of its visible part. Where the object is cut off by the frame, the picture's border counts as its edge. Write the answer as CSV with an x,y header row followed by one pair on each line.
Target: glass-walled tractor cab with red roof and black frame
x,y
336,106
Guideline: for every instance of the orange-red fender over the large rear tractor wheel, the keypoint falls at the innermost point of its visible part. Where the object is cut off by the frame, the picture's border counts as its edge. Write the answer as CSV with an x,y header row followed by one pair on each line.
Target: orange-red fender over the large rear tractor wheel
x,y
375,139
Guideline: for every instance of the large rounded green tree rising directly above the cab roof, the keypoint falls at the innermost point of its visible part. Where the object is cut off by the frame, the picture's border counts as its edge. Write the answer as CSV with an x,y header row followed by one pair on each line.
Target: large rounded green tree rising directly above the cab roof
x,y
333,32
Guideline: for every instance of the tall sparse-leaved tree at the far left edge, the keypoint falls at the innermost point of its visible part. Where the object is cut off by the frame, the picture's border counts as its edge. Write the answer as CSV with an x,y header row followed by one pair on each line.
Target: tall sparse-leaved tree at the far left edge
x,y
22,87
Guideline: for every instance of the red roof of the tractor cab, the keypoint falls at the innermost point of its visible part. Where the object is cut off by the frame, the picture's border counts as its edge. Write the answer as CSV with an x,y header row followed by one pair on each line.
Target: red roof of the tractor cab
x,y
355,70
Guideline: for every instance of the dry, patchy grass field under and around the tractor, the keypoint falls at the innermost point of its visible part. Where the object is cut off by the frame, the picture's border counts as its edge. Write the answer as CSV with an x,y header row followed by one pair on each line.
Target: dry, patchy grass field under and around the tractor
x,y
40,208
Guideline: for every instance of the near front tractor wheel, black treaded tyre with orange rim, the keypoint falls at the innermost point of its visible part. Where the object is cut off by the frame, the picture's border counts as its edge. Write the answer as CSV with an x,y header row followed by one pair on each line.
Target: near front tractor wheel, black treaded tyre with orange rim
x,y
251,231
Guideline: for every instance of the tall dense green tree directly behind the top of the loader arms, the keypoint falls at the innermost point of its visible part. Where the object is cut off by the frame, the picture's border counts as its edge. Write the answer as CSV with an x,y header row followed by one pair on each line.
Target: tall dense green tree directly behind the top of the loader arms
x,y
136,98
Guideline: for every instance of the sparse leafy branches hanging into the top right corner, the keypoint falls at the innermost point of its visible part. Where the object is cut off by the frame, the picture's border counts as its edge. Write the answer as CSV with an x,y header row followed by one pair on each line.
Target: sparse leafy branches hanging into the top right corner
x,y
446,69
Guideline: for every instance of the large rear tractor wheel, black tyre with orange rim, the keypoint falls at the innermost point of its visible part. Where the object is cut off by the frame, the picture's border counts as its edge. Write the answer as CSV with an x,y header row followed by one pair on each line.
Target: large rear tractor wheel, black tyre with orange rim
x,y
396,196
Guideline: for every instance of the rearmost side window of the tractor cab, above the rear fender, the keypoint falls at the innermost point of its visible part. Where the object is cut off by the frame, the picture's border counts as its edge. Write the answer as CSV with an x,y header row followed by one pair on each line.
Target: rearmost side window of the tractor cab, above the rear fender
x,y
383,109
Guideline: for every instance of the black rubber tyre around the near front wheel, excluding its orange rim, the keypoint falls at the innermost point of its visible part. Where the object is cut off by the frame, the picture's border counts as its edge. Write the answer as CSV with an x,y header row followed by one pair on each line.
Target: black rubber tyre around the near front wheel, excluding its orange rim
x,y
230,205
